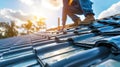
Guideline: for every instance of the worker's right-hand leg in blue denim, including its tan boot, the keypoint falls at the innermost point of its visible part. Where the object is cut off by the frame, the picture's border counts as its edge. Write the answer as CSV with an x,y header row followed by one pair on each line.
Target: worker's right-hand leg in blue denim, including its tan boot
x,y
86,7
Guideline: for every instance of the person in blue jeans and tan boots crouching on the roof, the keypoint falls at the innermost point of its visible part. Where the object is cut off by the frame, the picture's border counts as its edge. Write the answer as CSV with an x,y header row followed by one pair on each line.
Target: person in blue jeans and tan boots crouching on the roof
x,y
72,8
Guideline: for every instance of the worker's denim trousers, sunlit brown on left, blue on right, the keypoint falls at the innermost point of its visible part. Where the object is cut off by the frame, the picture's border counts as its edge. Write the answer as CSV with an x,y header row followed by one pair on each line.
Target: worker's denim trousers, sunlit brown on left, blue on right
x,y
85,7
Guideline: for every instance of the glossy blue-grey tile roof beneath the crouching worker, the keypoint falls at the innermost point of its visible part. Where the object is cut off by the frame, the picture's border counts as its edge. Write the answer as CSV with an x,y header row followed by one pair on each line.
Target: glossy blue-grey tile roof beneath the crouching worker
x,y
94,45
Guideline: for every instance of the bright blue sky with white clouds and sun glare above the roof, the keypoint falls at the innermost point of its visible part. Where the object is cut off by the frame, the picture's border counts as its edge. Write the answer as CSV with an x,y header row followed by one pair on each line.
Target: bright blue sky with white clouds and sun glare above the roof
x,y
22,10
